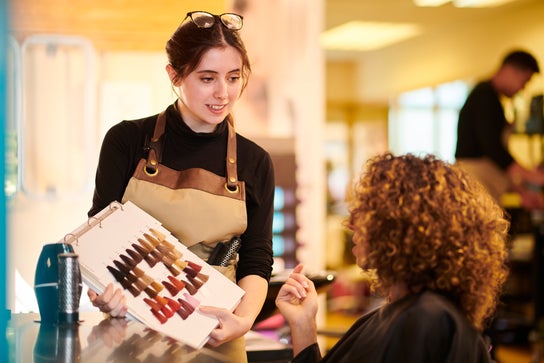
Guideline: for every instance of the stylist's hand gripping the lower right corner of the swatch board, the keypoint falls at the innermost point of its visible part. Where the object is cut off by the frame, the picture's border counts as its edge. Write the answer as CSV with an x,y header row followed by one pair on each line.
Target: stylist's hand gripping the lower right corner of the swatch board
x,y
231,326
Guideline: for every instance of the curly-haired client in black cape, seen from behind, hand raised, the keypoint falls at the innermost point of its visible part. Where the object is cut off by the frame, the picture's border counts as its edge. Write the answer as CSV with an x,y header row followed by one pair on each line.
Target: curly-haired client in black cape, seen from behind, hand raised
x,y
436,241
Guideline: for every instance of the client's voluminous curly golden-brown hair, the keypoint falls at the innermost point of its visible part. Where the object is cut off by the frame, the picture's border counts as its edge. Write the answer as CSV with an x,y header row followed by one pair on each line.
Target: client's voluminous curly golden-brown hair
x,y
430,225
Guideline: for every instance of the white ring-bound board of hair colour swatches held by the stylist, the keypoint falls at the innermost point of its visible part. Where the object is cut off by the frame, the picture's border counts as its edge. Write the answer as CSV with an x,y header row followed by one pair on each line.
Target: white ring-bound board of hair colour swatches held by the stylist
x,y
164,282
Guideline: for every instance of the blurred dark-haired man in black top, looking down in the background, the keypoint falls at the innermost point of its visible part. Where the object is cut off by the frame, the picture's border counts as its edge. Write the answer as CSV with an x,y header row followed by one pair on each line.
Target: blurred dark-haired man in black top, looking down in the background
x,y
482,133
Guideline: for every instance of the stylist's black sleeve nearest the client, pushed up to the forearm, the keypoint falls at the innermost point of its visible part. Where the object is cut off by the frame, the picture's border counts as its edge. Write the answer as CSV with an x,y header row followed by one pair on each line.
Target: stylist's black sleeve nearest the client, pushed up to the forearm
x,y
256,256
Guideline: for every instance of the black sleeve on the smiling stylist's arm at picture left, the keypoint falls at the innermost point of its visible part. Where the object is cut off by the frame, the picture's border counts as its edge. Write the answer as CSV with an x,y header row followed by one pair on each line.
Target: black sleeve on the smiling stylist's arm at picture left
x,y
121,149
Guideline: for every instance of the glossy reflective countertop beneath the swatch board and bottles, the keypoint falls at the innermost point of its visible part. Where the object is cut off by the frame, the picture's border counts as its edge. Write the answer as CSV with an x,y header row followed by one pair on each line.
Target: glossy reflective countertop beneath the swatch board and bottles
x,y
99,339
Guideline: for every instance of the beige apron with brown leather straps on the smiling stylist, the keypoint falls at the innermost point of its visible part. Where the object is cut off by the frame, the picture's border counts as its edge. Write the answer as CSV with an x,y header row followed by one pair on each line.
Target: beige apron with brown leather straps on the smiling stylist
x,y
198,207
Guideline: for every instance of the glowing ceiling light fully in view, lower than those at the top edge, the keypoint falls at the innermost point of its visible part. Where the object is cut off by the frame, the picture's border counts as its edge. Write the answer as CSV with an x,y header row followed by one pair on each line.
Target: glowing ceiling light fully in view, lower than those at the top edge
x,y
361,36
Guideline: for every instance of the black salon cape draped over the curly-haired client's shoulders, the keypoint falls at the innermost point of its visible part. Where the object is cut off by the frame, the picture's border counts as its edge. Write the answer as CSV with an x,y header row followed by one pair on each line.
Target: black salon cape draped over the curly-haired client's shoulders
x,y
423,328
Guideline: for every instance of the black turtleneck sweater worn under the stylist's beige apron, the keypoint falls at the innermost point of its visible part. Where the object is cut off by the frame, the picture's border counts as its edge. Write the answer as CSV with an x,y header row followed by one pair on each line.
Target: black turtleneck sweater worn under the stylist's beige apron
x,y
124,145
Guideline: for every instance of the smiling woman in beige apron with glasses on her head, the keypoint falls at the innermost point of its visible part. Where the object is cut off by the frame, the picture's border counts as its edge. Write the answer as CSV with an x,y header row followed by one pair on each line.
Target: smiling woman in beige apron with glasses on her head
x,y
189,169
